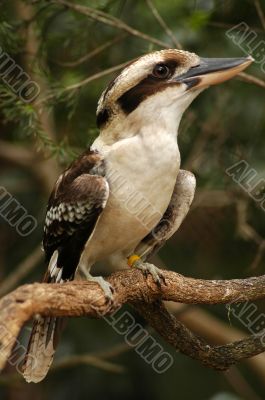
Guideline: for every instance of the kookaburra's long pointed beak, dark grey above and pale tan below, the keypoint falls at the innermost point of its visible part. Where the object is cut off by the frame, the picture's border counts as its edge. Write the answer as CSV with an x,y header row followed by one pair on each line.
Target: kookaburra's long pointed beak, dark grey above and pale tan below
x,y
212,71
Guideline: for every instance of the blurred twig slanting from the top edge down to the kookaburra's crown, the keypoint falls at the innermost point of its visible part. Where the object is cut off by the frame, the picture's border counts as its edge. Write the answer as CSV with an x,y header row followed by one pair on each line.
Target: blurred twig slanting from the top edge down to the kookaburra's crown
x,y
107,19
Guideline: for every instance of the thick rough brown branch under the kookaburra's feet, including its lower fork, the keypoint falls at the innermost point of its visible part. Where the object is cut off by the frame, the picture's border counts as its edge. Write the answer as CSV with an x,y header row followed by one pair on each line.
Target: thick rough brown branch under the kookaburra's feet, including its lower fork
x,y
130,286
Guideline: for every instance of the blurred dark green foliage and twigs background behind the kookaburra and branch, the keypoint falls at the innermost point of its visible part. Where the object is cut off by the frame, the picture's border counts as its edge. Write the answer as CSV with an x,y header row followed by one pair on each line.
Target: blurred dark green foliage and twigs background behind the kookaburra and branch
x,y
72,53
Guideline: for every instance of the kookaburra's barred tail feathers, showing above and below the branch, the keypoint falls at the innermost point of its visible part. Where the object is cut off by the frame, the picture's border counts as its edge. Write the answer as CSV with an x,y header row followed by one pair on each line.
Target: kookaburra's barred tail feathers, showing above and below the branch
x,y
44,336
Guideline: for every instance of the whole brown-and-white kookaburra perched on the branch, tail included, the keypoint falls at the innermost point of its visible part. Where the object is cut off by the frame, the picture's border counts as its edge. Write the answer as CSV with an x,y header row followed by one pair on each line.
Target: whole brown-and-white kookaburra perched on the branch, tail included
x,y
126,195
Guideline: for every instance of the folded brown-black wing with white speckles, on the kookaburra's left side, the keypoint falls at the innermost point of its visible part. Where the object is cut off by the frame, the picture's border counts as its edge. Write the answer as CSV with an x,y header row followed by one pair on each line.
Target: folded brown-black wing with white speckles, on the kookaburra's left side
x,y
78,198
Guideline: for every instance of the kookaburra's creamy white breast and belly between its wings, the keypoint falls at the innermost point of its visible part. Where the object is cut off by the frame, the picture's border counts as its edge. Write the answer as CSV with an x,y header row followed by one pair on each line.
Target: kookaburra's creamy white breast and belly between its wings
x,y
141,172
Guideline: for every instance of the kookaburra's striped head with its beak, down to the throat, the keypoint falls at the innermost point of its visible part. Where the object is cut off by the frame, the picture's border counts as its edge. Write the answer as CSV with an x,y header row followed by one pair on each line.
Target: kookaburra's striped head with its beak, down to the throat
x,y
157,88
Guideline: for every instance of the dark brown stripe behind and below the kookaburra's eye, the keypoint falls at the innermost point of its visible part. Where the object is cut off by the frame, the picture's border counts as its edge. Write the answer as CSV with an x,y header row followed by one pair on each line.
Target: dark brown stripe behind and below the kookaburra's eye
x,y
150,85
